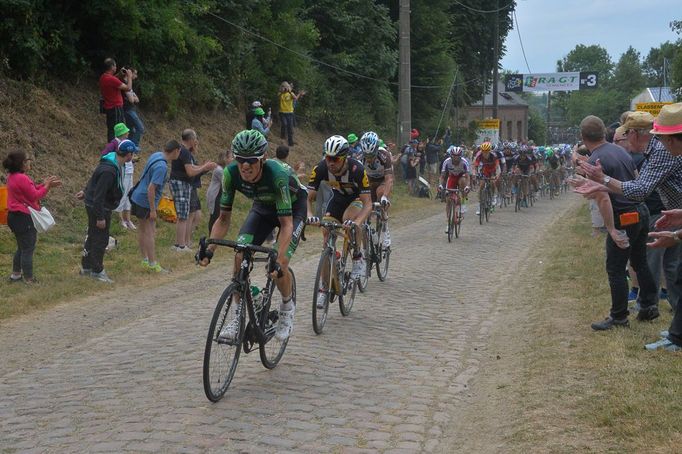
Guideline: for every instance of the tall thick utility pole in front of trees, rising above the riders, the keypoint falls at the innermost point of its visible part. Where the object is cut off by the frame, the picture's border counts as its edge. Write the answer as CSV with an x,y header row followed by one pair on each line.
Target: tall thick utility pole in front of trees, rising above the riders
x,y
404,96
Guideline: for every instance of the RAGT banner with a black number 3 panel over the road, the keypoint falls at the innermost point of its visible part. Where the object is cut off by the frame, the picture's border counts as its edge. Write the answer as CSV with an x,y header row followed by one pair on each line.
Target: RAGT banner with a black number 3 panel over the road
x,y
567,81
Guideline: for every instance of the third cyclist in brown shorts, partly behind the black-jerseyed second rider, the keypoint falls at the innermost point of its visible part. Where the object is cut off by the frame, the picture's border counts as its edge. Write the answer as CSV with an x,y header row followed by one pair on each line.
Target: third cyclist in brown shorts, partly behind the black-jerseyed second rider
x,y
379,168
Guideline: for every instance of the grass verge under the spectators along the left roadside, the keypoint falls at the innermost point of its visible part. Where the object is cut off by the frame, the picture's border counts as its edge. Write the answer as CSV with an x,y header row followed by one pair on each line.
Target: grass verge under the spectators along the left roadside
x,y
57,256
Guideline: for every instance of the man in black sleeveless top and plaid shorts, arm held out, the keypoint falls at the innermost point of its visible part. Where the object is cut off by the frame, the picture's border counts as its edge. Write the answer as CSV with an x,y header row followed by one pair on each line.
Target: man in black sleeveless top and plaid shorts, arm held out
x,y
183,171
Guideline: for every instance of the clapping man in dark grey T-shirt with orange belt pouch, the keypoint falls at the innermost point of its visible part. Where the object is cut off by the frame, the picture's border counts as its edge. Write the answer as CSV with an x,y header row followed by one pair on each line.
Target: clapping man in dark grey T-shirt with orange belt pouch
x,y
621,213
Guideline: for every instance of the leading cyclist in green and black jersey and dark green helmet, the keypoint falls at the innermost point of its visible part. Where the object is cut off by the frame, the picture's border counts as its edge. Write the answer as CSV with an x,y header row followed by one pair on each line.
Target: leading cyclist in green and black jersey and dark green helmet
x,y
279,200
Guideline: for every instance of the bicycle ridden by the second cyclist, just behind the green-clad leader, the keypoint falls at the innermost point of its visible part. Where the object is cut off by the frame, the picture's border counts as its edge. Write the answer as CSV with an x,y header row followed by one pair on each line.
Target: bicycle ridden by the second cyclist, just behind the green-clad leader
x,y
333,278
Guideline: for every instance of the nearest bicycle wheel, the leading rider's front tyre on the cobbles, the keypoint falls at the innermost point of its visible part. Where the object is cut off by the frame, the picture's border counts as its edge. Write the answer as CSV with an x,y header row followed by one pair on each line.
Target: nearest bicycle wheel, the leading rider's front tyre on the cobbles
x,y
213,353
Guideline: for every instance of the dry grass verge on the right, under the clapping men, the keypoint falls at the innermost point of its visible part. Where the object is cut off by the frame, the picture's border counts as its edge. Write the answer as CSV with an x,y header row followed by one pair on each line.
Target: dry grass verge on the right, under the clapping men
x,y
583,390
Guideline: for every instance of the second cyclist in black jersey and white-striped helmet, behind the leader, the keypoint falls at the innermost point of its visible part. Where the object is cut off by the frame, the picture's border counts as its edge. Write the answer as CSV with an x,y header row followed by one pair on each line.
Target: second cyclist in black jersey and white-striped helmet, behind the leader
x,y
351,201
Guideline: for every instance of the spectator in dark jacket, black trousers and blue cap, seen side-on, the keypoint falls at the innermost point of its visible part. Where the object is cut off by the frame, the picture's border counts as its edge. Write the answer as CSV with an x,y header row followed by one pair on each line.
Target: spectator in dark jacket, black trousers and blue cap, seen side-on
x,y
102,194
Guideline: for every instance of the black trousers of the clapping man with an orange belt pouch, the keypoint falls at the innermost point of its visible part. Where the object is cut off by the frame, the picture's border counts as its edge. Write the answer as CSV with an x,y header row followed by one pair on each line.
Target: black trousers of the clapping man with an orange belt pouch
x,y
616,263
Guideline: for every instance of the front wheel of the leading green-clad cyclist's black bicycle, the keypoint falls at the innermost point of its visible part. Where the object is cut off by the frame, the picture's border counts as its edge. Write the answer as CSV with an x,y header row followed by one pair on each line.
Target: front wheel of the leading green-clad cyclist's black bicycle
x,y
221,354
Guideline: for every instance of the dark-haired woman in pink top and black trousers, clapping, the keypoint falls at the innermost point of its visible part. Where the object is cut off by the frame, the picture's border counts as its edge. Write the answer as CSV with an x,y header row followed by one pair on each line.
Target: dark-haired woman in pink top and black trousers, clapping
x,y
22,192
